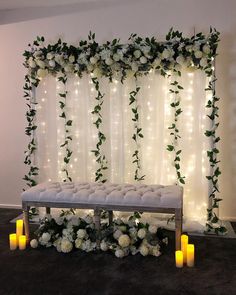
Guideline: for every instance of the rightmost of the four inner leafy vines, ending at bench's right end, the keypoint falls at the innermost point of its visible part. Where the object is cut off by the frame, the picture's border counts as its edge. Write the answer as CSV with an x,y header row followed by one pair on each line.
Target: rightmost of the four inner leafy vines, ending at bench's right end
x,y
174,129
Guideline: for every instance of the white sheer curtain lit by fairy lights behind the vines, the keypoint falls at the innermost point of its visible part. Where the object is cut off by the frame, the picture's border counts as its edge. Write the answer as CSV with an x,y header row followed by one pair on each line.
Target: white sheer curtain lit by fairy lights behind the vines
x,y
156,116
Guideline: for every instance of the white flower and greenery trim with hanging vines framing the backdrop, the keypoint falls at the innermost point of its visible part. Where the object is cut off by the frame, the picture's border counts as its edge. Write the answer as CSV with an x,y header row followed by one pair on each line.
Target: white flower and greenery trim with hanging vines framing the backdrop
x,y
118,61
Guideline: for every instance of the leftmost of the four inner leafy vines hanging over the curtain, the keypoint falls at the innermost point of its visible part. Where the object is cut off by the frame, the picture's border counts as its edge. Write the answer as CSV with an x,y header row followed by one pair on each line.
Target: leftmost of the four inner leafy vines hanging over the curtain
x,y
68,124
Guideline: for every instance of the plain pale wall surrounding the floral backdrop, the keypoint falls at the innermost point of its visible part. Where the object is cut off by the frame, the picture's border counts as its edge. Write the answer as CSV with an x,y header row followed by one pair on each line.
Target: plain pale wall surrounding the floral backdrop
x,y
110,19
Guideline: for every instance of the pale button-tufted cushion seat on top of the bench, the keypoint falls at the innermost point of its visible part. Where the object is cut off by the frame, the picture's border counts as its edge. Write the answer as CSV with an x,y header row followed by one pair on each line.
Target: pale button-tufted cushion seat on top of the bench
x,y
106,194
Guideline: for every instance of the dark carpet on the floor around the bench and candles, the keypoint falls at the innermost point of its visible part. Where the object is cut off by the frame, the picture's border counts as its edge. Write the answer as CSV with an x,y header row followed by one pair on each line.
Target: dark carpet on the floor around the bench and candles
x,y
45,271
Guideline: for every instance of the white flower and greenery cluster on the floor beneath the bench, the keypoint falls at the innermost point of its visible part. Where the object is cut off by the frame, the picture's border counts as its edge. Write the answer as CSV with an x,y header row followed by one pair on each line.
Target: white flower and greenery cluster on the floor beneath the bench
x,y
121,237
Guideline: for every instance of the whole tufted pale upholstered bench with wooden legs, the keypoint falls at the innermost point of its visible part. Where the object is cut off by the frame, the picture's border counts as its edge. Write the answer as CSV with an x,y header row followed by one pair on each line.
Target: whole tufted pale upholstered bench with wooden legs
x,y
97,196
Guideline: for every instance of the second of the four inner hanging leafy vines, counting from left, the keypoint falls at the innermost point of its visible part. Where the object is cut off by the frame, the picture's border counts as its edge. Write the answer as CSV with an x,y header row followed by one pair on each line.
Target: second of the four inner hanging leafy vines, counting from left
x,y
100,156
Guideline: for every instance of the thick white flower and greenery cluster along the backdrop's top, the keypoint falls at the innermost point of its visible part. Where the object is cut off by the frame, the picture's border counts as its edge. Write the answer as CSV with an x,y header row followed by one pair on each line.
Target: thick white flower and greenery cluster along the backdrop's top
x,y
114,59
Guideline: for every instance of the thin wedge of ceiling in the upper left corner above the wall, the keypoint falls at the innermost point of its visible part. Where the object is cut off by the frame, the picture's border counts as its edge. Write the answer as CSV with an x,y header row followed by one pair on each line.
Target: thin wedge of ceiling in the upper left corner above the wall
x,y
16,4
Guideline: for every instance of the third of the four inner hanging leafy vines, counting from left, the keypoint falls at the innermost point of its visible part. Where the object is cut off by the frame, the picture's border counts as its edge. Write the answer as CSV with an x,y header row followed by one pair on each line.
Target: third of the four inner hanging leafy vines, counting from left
x,y
137,133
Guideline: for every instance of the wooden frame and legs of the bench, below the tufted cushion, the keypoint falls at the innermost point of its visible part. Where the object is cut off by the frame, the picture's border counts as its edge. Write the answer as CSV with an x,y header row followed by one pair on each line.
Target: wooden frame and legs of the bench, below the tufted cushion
x,y
97,210
